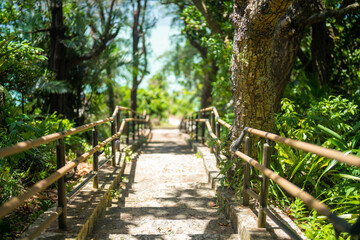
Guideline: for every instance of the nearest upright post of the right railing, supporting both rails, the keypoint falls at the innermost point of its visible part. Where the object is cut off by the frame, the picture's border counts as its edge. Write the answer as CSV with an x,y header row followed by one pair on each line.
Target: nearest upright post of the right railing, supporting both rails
x,y
264,187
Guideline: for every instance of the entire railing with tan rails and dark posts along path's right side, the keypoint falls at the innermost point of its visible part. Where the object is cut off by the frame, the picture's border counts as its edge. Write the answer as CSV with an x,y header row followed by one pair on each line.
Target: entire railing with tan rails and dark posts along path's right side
x,y
190,124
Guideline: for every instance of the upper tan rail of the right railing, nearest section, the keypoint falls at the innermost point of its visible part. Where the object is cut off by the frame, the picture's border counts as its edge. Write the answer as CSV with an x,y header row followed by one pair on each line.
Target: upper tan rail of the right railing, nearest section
x,y
308,147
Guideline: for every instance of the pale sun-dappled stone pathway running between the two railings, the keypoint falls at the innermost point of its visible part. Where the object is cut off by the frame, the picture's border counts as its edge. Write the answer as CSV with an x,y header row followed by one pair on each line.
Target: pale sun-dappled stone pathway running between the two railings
x,y
164,195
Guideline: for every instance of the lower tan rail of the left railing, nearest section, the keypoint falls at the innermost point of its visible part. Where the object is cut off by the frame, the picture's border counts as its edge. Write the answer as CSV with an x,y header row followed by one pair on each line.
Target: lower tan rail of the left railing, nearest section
x,y
15,202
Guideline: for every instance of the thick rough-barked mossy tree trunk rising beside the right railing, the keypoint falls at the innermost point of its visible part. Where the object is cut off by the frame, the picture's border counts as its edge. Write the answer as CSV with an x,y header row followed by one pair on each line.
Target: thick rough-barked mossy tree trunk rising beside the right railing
x,y
268,37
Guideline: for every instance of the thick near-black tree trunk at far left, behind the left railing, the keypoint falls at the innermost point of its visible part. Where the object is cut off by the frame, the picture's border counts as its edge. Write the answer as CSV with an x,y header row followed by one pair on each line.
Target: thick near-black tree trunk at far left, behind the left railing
x,y
57,58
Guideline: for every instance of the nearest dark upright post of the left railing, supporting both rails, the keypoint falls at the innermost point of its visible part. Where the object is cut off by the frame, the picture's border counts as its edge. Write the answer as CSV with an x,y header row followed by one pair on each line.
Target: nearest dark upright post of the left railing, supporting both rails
x,y
62,203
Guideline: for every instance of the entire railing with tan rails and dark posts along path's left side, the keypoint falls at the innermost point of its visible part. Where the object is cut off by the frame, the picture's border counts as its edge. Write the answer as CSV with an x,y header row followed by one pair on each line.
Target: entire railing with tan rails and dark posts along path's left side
x,y
118,127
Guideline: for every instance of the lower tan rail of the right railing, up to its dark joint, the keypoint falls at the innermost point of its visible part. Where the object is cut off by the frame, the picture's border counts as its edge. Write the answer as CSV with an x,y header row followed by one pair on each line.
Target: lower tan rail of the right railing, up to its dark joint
x,y
289,187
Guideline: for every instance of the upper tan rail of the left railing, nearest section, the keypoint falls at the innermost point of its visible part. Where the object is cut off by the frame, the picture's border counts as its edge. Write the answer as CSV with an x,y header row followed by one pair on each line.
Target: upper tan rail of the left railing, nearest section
x,y
23,146
